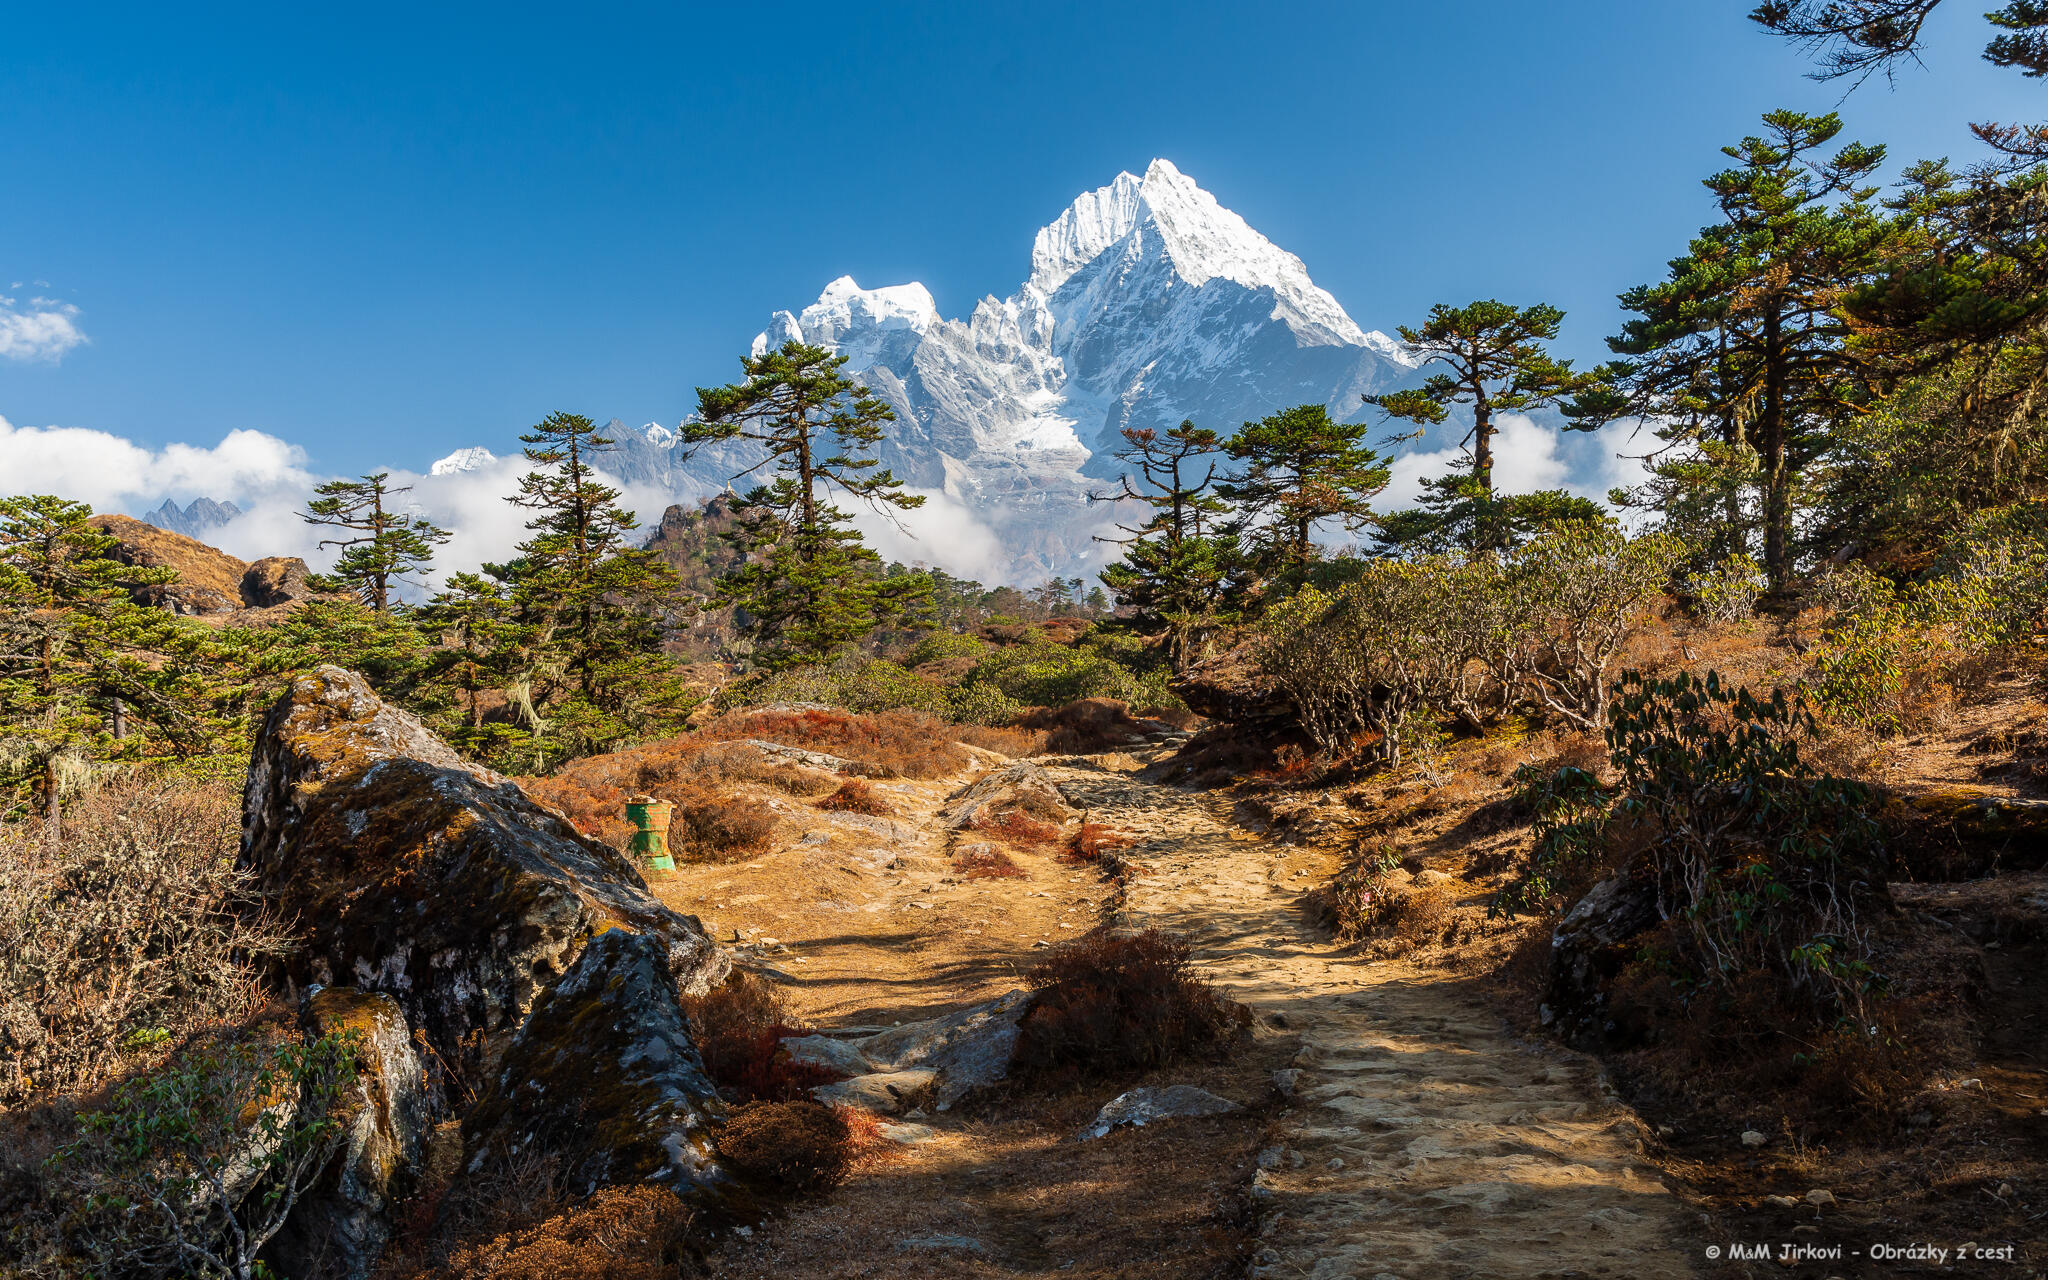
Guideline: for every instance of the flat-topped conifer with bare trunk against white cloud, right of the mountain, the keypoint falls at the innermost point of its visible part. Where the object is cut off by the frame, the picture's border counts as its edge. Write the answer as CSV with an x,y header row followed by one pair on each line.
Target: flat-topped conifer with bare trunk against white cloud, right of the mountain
x,y
1494,359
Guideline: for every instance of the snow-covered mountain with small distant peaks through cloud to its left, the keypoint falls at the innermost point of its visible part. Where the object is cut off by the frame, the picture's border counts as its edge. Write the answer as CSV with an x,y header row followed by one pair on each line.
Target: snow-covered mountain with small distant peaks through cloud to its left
x,y
1146,304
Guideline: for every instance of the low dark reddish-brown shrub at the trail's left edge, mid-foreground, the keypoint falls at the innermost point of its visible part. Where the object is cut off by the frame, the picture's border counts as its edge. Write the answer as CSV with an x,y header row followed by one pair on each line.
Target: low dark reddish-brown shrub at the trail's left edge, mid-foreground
x,y
1121,1002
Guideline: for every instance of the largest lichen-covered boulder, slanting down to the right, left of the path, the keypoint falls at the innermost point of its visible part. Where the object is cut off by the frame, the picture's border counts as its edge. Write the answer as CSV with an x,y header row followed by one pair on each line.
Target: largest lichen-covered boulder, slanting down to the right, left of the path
x,y
417,873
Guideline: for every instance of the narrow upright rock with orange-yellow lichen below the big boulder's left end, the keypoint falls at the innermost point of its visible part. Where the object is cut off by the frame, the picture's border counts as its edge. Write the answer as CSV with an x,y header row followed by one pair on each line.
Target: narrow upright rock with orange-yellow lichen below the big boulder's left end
x,y
343,1224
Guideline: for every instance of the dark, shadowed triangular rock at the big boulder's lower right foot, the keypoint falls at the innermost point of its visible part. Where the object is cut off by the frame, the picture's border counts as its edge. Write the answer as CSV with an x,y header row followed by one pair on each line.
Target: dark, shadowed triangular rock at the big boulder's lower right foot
x,y
603,1076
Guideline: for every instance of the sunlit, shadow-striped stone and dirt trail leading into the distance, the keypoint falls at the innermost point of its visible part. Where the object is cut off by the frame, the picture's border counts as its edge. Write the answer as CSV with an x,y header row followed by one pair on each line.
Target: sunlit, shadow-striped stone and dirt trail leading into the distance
x,y
1424,1140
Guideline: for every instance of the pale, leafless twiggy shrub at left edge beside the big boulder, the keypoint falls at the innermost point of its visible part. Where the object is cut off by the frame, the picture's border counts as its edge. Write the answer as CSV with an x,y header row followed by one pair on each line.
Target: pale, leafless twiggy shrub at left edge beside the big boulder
x,y
126,935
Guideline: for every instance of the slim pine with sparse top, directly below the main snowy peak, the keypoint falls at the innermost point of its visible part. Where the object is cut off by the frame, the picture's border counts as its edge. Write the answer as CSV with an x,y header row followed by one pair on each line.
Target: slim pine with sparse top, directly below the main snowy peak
x,y
1177,564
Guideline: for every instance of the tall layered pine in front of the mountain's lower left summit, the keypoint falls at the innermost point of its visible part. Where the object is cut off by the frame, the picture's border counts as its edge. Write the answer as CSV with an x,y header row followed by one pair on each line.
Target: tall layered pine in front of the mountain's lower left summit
x,y
810,587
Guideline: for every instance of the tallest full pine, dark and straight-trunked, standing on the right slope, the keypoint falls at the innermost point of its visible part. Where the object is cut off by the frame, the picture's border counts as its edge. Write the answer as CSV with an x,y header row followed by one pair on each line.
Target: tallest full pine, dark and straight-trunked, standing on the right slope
x,y
1746,335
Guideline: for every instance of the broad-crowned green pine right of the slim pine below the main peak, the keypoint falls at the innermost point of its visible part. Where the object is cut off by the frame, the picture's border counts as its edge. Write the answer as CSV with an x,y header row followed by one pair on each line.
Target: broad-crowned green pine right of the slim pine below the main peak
x,y
1299,470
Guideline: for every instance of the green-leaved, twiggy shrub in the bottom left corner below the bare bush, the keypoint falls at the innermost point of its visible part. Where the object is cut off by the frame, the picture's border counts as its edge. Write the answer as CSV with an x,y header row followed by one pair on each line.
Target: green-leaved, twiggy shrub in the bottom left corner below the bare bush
x,y
191,1168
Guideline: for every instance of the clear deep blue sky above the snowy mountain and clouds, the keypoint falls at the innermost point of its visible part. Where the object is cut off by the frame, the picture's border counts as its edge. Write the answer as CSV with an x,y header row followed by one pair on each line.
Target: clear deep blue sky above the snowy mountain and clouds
x,y
384,232
